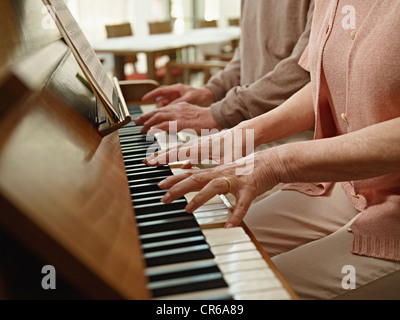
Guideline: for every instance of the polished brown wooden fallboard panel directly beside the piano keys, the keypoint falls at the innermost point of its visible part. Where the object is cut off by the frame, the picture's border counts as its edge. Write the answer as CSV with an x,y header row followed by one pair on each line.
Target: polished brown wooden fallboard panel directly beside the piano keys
x,y
68,198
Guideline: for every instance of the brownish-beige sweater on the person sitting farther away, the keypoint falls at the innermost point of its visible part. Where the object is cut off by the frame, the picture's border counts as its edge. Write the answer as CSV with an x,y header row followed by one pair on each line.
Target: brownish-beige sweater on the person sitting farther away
x,y
265,71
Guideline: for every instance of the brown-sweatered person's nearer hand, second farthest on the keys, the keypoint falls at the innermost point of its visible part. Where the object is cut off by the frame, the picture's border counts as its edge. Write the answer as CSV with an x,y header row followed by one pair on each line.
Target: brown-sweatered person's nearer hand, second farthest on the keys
x,y
185,116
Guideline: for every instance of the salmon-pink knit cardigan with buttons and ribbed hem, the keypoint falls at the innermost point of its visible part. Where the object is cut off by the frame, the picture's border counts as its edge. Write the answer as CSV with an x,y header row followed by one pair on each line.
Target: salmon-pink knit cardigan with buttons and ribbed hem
x,y
372,96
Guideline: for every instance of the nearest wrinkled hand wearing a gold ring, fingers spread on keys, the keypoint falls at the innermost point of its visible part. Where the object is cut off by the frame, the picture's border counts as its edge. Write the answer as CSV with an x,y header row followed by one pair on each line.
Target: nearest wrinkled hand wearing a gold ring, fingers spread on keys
x,y
211,182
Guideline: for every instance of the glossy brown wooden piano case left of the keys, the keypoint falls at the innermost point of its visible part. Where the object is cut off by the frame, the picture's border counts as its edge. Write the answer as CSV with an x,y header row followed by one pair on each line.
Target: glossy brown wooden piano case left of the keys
x,y
64,199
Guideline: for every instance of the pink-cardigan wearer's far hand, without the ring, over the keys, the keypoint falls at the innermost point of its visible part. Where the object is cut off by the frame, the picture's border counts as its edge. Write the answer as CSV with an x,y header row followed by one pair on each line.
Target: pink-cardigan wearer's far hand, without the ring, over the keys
x,y
223,147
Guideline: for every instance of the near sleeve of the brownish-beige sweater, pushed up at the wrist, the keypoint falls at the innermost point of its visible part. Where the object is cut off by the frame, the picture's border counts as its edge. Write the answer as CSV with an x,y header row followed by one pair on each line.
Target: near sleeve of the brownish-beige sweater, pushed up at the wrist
x,y
246,102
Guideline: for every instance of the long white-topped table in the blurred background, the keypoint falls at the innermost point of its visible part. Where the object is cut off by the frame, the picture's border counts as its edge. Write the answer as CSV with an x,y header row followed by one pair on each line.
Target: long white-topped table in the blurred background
x,y
162,44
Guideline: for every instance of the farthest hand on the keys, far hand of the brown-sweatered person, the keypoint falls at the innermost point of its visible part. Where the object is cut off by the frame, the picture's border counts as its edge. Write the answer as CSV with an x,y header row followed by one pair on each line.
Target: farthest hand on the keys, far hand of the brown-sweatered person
x,y
180,93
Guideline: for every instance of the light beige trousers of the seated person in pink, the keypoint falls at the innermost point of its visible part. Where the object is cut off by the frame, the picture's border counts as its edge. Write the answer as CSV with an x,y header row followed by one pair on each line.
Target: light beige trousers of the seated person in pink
x,y
309,240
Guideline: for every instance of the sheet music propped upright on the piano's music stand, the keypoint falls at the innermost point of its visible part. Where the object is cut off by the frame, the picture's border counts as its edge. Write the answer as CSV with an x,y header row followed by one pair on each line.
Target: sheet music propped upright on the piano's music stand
x,y
85,55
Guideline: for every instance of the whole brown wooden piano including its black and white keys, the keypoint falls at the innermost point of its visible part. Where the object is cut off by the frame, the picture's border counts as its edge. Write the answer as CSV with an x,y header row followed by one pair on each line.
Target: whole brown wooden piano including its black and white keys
x,y
83,202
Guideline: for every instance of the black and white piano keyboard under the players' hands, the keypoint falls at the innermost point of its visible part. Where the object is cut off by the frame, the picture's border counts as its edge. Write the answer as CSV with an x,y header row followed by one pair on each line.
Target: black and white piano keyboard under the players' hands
x,y
191,257
